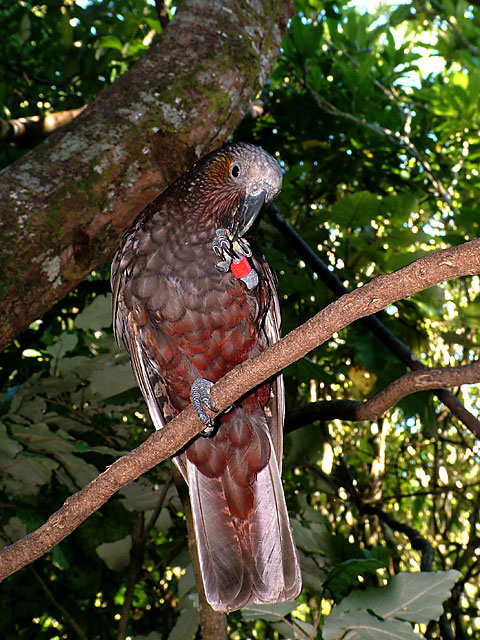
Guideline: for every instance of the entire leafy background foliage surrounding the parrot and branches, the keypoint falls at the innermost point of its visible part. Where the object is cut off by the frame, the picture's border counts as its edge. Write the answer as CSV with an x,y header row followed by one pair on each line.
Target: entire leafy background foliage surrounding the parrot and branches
x,y
375,117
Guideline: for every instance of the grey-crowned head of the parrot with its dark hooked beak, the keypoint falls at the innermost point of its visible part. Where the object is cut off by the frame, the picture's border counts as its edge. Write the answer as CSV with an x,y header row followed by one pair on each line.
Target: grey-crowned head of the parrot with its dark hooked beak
x,y
230,185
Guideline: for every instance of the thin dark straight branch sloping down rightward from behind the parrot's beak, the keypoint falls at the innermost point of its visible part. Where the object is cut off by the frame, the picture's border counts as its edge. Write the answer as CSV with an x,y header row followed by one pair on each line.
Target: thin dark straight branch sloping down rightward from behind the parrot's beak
x,y
395,345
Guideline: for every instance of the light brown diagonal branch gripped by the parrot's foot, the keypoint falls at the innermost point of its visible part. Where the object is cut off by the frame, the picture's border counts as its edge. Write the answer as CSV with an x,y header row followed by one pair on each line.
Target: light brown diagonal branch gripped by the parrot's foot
x,y
377,294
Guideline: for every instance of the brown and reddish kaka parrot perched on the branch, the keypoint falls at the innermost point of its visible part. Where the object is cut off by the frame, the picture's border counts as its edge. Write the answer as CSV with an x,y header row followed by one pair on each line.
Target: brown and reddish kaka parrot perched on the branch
x,y
191,300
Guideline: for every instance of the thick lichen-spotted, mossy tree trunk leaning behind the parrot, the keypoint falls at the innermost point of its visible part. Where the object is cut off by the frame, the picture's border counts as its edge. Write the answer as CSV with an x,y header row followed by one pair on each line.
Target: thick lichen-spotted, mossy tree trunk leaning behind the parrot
x,y
66,203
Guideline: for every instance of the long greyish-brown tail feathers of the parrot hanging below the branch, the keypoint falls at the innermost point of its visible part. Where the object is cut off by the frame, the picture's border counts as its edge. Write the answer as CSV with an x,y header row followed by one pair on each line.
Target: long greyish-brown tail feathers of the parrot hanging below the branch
x,y
249,559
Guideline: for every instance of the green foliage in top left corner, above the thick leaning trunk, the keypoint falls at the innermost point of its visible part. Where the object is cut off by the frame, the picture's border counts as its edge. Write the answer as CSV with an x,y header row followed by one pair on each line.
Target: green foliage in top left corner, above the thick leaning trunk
x,y
59,55
